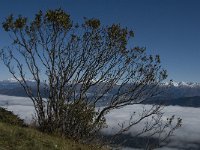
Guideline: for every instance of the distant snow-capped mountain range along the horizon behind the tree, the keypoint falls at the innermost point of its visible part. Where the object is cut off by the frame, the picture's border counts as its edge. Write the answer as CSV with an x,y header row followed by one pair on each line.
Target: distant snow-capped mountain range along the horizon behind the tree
x,y
169,90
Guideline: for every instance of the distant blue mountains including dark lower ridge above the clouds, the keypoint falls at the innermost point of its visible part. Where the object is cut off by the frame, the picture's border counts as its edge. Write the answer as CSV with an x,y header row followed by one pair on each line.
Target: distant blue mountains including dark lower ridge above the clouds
x,y
172,93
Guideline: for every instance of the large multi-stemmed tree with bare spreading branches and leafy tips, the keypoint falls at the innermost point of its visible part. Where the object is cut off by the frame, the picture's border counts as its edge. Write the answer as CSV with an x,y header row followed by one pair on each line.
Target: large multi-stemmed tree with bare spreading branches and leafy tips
x,y
78,67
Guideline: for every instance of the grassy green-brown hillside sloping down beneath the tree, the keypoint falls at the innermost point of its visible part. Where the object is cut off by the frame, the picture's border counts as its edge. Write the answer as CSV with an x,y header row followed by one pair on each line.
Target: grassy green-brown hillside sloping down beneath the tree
x,y
20,138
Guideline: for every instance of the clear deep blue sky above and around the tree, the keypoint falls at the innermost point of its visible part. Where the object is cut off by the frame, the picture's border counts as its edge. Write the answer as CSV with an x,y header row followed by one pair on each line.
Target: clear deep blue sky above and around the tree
x,y
170,28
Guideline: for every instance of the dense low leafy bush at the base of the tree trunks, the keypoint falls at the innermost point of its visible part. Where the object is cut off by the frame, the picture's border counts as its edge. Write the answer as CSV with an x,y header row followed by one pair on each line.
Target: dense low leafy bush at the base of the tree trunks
x,y
77,121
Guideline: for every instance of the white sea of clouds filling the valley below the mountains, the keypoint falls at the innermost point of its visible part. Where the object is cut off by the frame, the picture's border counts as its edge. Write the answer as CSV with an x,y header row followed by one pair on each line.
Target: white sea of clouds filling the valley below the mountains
x,y
187,137
